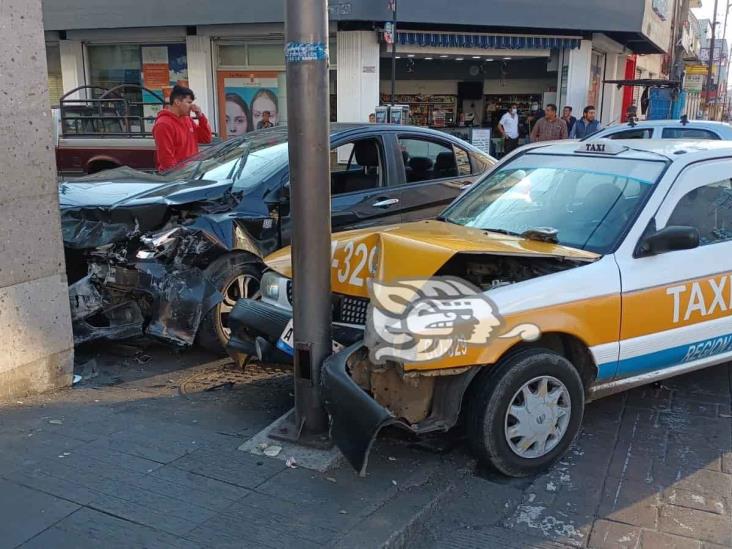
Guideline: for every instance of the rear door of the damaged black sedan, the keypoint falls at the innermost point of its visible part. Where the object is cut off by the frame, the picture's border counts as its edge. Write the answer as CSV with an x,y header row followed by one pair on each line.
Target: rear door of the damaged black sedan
x,y
431,173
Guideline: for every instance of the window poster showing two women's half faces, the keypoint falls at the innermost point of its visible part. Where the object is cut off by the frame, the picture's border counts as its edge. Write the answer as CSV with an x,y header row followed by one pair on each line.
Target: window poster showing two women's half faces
x,y
248,101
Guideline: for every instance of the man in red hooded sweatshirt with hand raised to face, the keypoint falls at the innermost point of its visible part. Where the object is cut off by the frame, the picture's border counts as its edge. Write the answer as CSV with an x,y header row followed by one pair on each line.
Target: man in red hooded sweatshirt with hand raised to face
x,y
176,134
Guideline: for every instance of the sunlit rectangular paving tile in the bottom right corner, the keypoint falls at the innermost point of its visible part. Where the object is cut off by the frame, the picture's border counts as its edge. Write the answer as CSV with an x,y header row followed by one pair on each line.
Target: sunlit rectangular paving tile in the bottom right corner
x,y
695,524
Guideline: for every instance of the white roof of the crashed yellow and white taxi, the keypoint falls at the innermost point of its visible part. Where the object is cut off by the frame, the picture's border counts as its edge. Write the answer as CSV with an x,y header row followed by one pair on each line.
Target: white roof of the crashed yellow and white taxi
x,y
644,149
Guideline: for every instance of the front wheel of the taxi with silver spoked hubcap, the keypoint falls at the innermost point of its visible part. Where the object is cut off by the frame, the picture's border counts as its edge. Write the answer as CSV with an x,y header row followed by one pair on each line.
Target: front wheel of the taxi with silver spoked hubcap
x,y
489,423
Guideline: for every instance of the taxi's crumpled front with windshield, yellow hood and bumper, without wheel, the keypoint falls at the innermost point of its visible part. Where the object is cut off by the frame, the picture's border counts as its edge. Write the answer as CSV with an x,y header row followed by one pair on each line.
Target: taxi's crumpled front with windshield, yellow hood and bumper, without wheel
x,y
524,258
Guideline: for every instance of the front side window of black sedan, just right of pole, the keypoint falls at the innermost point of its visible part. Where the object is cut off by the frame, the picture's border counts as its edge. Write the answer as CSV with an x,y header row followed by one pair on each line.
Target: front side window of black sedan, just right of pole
x,y
356,166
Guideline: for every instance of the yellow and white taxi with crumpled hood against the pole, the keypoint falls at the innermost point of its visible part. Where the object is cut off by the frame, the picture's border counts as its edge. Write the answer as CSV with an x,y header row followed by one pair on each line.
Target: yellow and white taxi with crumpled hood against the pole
x,y
571,271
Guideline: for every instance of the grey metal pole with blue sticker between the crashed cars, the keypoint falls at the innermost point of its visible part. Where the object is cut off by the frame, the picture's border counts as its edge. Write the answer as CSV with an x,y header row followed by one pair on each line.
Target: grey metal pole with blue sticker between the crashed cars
x,y
306,53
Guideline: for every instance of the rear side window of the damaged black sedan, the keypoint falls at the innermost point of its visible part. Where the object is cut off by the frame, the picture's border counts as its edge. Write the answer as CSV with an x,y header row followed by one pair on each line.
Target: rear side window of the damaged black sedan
x,y
425,160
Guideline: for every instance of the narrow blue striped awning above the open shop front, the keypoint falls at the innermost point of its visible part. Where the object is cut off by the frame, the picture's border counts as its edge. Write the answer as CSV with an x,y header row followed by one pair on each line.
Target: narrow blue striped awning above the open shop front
x,y
486,41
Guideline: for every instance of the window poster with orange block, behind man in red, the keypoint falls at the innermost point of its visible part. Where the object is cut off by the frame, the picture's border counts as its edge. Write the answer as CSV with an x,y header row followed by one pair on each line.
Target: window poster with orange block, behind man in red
x,y
162,68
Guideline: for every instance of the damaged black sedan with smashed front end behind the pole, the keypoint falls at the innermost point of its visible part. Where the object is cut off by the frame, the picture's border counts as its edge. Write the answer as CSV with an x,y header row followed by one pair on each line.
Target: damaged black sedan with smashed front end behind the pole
x,y
169,255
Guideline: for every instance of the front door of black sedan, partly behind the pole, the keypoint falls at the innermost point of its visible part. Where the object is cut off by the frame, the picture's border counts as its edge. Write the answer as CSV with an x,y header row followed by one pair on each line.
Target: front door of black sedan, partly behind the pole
x,y
359,195
